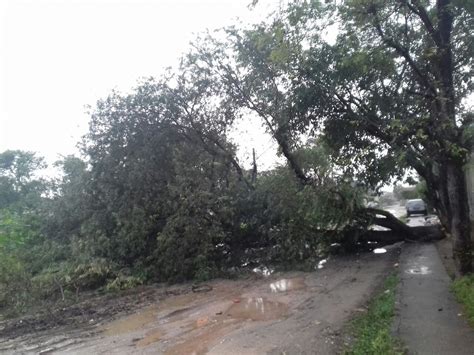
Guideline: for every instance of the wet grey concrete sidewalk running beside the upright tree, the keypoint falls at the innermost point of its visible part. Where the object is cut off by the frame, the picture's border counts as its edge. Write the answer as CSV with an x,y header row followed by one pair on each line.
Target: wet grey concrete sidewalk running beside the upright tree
x,y
429,318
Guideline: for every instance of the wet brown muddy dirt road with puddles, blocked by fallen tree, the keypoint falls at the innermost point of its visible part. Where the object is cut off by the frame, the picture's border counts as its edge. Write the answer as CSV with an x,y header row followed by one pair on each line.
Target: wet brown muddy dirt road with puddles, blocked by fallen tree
x,y
283,313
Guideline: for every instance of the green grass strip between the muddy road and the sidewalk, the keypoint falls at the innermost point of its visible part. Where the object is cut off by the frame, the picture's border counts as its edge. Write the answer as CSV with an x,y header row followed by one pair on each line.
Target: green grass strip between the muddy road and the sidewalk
x,y
372,330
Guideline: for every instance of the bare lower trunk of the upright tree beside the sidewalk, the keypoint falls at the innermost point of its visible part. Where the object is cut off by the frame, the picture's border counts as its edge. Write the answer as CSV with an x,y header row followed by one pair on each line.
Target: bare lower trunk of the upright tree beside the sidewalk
x,y
460,220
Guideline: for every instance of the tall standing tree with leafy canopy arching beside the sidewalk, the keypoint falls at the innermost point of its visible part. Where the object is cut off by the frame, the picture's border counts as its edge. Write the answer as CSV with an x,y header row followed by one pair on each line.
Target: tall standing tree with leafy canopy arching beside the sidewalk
x,y
388,95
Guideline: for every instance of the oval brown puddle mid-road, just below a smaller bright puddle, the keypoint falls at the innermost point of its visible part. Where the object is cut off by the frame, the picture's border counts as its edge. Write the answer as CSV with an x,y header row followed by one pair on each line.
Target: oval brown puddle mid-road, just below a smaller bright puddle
x,y
257,309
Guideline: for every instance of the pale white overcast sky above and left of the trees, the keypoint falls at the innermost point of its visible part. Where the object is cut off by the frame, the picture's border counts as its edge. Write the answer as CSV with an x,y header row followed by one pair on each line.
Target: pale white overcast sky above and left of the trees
x,y
57,56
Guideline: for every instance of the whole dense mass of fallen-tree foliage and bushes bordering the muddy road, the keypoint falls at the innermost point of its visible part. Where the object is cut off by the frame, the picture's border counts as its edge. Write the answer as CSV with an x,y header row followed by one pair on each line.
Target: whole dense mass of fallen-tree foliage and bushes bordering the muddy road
x,y
161,195
